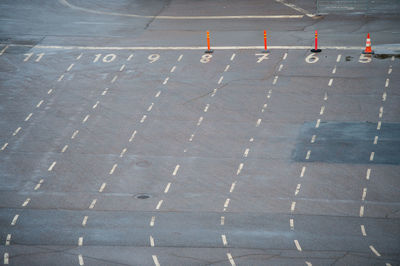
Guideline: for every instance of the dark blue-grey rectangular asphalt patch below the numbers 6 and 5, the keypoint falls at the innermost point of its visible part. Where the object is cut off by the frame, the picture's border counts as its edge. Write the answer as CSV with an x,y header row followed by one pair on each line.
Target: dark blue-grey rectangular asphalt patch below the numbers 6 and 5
x,y
339,142
